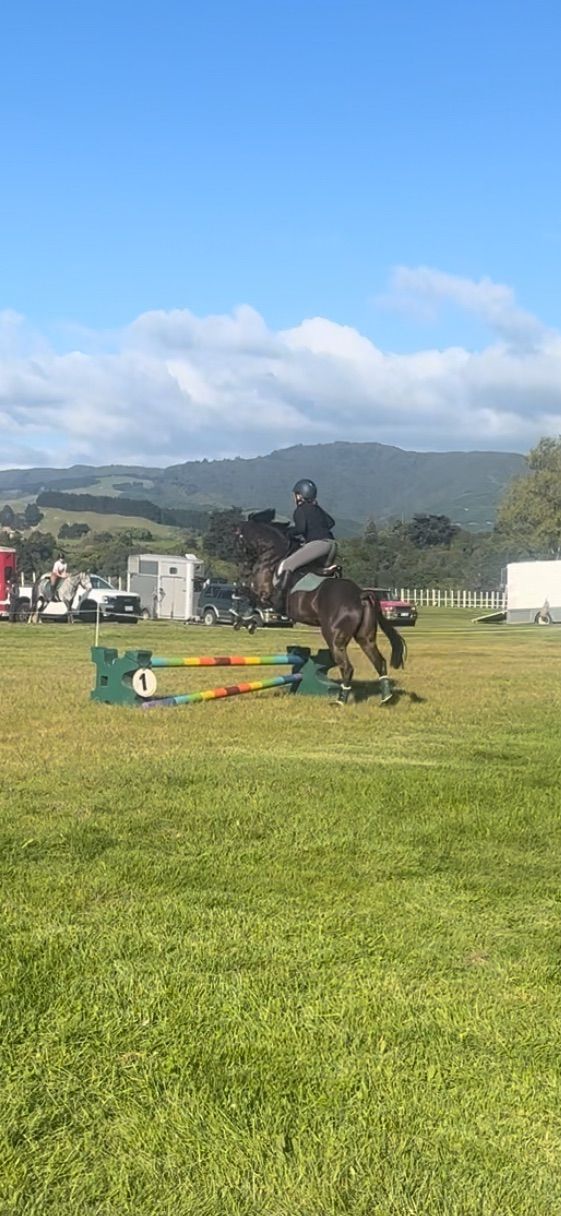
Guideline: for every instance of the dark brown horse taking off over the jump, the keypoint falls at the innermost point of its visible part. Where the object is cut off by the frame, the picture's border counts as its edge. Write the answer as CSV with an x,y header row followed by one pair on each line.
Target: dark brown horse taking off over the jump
x,y
339,606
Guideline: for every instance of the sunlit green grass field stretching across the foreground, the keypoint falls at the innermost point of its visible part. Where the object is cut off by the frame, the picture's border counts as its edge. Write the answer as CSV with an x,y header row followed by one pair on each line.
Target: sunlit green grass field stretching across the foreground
x,y
266,958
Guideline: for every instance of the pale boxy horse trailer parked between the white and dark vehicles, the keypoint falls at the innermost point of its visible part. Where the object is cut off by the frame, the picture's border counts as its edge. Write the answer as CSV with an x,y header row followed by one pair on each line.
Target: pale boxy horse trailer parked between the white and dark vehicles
x,y
169,586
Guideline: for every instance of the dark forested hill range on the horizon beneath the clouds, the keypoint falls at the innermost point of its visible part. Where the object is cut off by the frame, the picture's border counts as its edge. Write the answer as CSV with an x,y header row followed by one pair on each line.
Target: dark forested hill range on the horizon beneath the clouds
x,y
356,482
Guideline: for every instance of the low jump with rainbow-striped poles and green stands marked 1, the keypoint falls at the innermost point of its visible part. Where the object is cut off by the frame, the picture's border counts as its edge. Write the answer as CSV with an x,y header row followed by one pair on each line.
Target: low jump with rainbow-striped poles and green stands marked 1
x,y
131,679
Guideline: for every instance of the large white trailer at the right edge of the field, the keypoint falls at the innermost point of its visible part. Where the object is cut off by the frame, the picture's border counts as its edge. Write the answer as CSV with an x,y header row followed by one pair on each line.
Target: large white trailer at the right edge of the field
x,y
534,593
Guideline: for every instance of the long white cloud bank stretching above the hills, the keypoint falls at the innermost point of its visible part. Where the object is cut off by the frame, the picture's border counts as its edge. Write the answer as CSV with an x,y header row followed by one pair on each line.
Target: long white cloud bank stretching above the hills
x,y
175,387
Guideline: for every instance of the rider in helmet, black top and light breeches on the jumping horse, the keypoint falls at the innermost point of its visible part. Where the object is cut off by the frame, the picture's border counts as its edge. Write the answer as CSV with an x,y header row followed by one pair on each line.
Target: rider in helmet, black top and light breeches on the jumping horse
x,y
315,526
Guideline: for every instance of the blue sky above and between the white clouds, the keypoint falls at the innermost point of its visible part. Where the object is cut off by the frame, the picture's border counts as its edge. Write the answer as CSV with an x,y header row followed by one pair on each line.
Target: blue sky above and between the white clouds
x,y
287,157
